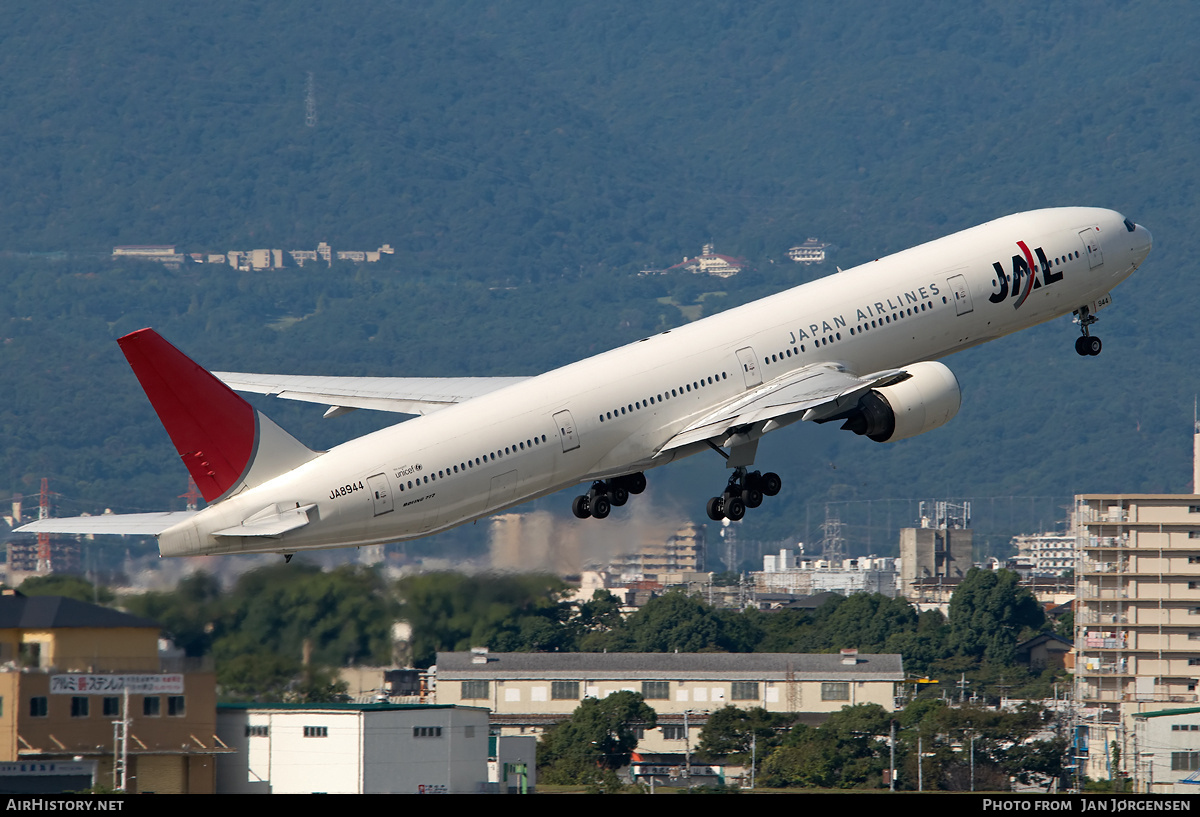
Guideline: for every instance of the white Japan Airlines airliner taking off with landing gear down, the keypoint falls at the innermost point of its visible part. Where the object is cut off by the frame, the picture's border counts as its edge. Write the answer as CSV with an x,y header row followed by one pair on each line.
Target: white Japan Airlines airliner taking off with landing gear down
x,y
861,347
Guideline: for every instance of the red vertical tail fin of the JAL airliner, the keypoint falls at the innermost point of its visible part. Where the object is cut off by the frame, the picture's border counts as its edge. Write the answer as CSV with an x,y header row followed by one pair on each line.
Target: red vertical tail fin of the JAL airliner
x,y
226,443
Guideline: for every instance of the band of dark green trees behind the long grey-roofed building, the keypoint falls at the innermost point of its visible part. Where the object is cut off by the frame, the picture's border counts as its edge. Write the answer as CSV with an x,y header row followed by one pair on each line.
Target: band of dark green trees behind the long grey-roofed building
x,y
261,630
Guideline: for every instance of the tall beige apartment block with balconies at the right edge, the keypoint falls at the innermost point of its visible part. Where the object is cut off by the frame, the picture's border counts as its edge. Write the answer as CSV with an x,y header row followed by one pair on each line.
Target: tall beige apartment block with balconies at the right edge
x,y
1138,616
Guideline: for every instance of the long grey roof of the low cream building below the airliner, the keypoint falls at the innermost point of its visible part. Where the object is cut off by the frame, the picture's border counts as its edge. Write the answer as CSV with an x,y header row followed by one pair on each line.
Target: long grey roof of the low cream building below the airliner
x,y
669,666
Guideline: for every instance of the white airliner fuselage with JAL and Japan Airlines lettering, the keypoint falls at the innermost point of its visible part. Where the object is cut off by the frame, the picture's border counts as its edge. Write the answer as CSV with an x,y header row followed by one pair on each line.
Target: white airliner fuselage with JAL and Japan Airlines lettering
x,y
611,414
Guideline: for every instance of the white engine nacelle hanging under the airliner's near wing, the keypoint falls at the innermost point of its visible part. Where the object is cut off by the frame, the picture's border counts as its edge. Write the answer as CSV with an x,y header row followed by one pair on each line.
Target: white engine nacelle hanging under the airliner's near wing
x,y
927,400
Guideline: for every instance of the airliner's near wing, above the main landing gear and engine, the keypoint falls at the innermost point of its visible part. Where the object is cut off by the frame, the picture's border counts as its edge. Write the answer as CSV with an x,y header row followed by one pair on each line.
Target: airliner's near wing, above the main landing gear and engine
x,y
815,393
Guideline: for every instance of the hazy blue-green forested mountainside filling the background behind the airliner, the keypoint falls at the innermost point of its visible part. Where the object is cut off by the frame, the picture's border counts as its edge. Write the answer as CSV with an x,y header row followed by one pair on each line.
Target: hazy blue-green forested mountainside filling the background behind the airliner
x,y
527,159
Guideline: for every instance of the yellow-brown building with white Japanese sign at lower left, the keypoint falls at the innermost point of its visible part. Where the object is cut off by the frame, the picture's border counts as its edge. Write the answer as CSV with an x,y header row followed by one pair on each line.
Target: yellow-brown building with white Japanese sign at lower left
x,y
70,670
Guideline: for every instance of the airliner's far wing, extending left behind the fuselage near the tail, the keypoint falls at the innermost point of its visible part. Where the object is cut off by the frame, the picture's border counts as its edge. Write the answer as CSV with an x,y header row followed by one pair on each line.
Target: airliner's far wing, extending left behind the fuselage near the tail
x,y
385,394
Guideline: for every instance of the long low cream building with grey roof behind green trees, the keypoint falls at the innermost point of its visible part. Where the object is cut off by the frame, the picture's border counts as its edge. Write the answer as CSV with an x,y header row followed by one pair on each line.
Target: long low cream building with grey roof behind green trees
x,y
529,692
